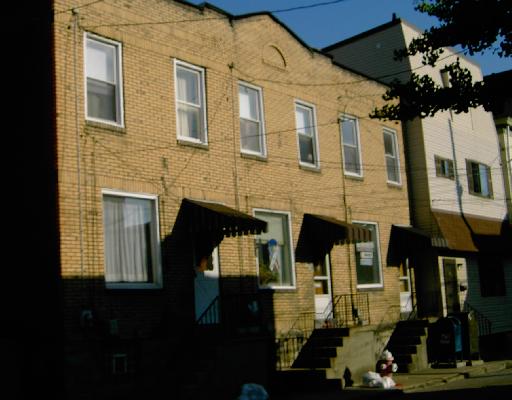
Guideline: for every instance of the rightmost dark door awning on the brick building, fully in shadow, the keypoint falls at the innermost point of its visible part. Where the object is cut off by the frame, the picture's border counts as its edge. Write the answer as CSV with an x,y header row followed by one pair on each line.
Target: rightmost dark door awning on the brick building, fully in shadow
x,y
405,242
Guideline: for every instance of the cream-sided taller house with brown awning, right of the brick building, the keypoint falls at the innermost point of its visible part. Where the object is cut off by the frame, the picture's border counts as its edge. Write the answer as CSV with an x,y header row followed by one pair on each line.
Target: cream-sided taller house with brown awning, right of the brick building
x,y
456,187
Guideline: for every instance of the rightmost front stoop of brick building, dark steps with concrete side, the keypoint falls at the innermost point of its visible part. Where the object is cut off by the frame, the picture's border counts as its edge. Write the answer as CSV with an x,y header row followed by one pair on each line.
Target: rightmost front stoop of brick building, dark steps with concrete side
x,y
408,343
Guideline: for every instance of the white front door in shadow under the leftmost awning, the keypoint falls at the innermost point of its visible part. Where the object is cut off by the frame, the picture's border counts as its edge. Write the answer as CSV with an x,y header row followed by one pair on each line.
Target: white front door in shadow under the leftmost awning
x,y
206,285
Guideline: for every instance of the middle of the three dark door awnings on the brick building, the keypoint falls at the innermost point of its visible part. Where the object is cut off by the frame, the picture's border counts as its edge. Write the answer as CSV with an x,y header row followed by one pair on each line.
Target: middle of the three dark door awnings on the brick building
x,y
319,233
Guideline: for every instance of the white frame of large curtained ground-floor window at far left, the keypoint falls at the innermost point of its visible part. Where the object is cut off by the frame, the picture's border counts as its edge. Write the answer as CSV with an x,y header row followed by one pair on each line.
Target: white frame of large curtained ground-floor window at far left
x,y
156,251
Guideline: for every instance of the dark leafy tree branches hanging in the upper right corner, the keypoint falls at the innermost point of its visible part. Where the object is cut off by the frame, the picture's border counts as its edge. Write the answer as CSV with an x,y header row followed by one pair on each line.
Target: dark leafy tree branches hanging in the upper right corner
x,y
475,26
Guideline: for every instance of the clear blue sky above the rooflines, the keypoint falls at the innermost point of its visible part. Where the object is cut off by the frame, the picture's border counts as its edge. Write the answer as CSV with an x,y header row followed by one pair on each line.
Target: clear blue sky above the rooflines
x,y
331,21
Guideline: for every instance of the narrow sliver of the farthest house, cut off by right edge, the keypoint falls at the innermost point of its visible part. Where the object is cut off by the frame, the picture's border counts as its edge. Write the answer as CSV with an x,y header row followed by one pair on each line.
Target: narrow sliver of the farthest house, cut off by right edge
x,y
500,84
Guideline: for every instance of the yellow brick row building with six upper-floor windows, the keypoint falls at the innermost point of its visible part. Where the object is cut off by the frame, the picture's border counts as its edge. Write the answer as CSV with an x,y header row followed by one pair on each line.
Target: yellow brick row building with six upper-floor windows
x,y
220,187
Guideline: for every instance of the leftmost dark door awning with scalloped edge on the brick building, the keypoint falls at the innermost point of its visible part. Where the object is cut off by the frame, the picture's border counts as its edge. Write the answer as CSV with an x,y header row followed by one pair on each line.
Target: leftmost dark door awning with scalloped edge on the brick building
x,y
204,217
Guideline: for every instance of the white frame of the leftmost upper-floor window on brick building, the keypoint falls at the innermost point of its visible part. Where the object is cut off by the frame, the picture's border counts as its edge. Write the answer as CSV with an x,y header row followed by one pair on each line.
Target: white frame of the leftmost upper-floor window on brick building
x,y
118,70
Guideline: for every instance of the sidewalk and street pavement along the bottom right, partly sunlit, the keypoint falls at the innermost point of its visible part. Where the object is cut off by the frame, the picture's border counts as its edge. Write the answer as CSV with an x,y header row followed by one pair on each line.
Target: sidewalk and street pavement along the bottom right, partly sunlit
x,y
409,382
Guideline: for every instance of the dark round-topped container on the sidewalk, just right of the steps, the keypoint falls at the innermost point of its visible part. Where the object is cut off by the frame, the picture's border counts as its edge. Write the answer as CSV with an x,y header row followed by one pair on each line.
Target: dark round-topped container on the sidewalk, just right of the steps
x,y
447,341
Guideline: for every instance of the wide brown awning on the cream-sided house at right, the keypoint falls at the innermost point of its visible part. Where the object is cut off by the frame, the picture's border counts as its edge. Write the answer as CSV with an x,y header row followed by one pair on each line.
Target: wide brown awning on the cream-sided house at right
x,y
470,233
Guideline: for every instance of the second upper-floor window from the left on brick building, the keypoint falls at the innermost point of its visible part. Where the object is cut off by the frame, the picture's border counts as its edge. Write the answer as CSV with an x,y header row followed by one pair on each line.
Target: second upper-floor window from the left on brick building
x,y
190,103
